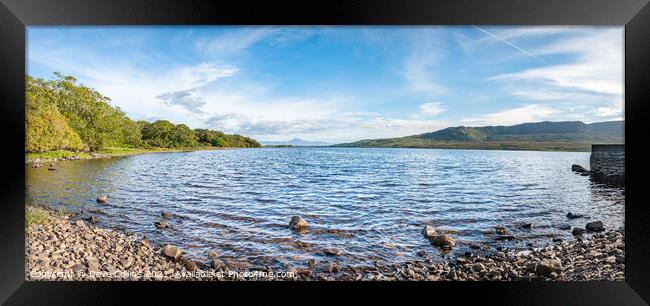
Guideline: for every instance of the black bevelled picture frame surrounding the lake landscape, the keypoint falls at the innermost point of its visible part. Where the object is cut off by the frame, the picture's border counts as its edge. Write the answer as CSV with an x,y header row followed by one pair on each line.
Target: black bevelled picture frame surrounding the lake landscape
x,y
15,15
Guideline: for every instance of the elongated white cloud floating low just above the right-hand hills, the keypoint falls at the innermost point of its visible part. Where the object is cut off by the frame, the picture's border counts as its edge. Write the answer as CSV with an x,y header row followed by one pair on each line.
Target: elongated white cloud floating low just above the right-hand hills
x,y
523,114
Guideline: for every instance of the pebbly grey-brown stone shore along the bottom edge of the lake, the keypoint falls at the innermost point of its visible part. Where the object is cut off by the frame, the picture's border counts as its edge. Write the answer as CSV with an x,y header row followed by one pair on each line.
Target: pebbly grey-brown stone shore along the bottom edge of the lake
x,y
61,249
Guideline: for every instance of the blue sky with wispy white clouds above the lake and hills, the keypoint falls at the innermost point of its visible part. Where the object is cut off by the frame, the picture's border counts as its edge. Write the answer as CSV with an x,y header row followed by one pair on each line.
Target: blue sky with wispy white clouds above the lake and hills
x,y
341,84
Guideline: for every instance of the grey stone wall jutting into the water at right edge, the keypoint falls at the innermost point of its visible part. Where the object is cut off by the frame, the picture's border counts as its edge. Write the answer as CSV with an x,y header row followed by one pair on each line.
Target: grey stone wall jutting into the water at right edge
x,y
608,161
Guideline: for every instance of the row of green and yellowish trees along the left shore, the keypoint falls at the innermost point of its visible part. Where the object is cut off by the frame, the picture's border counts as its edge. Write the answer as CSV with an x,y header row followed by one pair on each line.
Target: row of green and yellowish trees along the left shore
x,y
64,115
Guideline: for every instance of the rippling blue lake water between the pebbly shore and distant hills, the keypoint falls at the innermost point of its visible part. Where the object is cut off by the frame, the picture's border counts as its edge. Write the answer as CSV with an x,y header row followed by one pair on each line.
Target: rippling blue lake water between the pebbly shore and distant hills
x,y
370,204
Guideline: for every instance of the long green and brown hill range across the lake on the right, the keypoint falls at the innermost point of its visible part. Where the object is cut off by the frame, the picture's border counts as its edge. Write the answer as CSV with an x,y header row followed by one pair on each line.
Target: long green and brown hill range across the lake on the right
x,y
566,135
